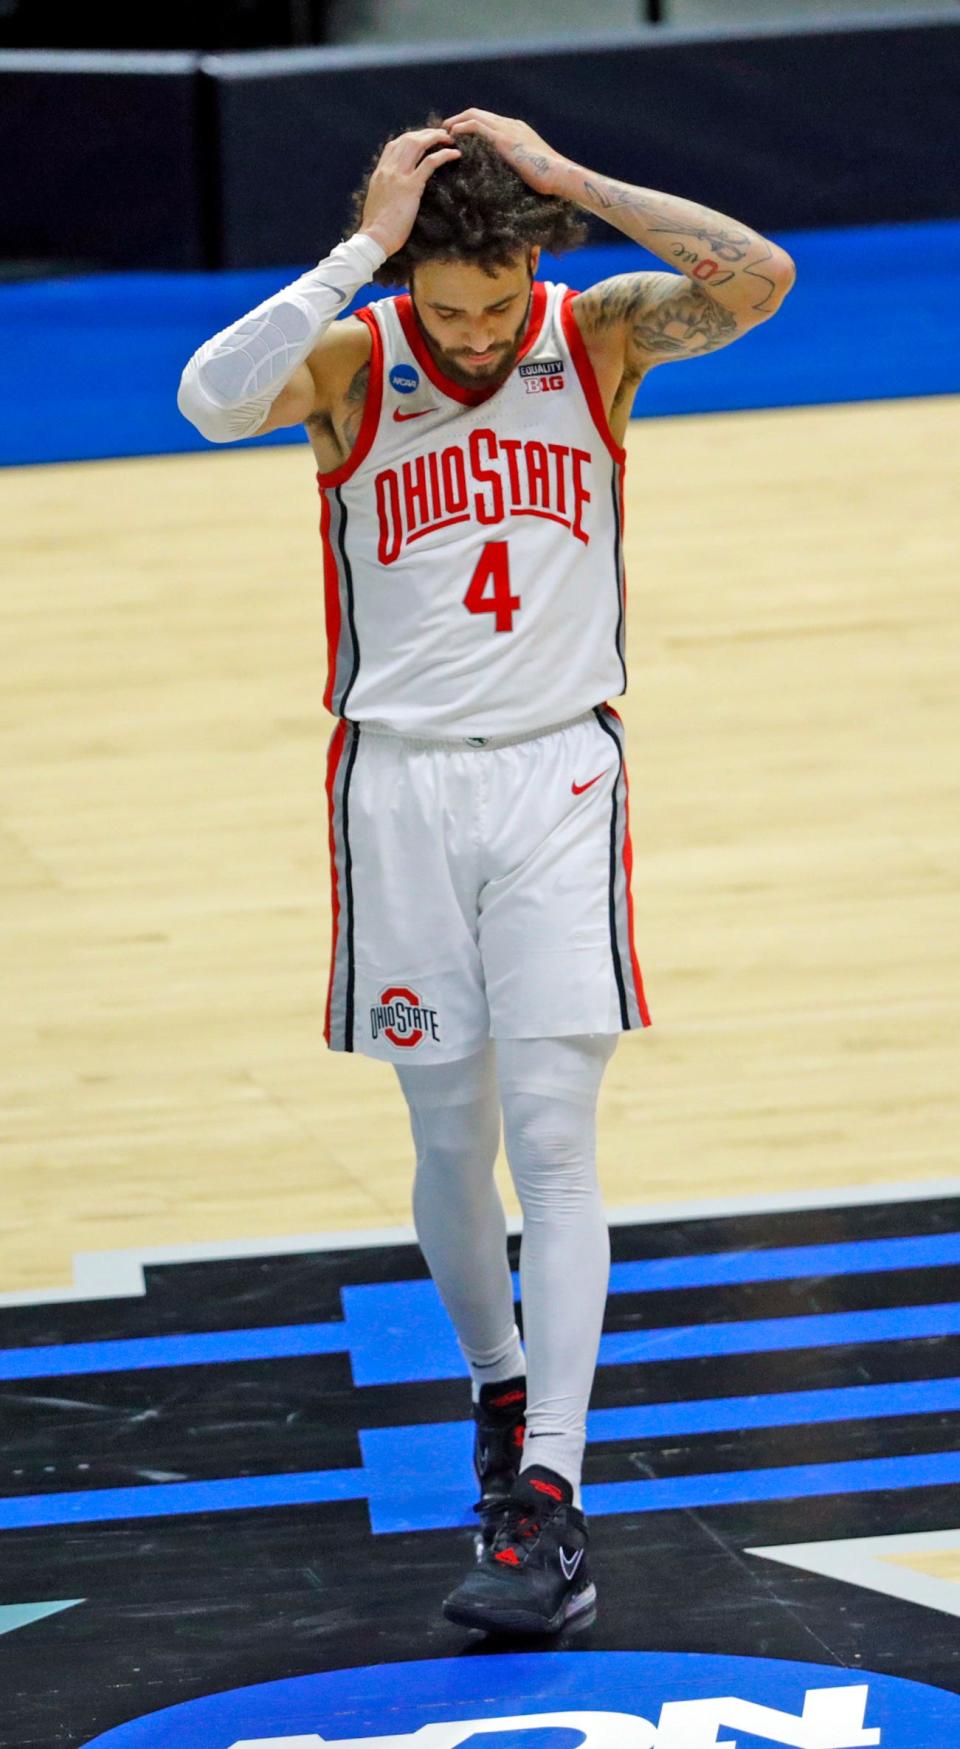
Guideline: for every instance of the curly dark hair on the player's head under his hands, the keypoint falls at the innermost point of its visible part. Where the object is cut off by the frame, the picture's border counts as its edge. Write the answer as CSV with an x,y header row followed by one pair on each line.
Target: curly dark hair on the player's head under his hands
x,y
480,211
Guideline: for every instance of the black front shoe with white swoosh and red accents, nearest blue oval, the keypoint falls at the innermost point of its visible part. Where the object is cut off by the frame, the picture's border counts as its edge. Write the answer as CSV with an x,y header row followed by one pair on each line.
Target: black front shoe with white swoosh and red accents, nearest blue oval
x,y
534,1577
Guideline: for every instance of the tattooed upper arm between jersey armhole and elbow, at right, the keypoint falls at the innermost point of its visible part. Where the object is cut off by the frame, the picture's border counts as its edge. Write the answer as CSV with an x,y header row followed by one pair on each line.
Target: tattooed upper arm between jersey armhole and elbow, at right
x,y
667,317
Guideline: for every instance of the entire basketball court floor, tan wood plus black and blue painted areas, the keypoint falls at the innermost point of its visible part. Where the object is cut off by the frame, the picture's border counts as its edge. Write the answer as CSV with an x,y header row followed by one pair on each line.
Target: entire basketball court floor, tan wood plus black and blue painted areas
x,y
235,1488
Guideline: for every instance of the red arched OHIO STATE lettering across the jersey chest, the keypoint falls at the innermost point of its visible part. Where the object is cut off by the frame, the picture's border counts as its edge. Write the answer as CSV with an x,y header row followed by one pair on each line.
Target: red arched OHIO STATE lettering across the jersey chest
x,y
487,480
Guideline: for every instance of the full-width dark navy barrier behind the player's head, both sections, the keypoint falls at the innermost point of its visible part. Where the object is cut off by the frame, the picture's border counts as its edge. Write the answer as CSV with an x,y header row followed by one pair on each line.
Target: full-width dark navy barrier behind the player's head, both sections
x,y
249,160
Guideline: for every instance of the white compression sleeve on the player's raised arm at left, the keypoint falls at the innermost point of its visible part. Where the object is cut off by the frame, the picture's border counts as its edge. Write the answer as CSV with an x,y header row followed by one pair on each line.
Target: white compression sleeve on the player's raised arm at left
x,y
233,380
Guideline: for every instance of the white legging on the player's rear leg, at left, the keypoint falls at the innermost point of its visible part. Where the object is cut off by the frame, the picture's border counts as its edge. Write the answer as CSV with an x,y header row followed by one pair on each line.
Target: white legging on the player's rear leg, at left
x,y
456,1118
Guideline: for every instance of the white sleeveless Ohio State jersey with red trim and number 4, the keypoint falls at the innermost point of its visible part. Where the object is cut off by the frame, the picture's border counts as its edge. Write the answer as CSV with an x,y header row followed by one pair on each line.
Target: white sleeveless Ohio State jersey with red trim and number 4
x,y
473,540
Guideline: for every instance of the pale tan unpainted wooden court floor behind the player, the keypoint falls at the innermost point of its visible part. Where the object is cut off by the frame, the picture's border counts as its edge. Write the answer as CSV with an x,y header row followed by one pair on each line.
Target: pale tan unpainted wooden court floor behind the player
x,y
793,748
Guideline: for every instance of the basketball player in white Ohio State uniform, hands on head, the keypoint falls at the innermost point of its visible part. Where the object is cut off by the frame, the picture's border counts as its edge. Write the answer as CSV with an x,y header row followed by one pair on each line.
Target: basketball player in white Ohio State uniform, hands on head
x,y
470,440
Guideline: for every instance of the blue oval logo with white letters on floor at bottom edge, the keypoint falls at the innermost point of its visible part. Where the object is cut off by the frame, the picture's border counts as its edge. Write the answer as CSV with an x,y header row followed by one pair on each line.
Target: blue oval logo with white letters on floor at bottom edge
x,y
566,1701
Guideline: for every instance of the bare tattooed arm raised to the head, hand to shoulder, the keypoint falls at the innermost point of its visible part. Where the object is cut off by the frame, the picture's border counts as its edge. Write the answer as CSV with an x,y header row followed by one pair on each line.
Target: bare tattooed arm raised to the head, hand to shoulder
x,y
734,277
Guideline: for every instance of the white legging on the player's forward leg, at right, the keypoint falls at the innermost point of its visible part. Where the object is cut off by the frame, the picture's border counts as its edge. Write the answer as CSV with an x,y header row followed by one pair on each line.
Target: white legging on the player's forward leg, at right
x,y
548,1091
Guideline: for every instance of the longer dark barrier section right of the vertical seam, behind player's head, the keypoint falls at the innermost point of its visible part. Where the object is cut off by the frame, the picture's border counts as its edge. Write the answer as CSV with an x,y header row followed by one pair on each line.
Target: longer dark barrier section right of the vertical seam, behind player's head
x,y
788,130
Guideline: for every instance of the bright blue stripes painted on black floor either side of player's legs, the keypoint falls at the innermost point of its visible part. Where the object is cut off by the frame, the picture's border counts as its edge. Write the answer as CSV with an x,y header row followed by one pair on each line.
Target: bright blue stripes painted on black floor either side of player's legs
x,y
398,1334
